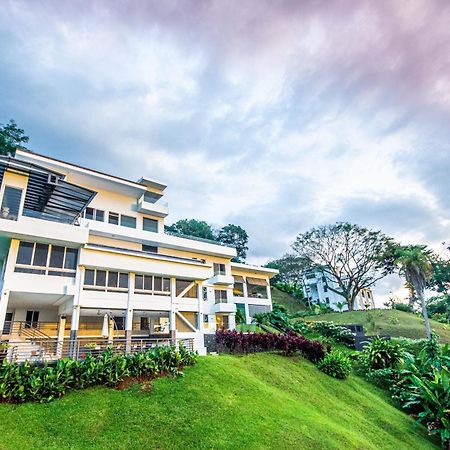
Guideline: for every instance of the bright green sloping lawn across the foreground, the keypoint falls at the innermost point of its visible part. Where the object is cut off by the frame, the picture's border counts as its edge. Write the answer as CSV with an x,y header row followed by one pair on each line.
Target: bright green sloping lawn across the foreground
x,y
259,401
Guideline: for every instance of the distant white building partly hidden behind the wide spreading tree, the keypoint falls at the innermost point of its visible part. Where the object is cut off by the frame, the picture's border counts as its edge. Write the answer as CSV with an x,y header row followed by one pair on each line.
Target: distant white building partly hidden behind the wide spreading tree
x,y
316,289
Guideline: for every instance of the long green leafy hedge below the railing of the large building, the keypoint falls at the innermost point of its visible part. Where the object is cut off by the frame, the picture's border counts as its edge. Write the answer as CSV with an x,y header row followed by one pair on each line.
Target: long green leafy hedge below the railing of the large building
x,y
24,382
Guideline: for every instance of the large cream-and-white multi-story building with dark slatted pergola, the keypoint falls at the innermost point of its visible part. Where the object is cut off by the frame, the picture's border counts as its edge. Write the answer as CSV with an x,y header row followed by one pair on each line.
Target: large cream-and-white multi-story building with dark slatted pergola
x,y
84,256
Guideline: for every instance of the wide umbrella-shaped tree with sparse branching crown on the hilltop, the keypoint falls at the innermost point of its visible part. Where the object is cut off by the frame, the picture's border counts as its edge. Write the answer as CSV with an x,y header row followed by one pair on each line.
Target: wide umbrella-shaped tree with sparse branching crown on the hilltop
x,y
347,254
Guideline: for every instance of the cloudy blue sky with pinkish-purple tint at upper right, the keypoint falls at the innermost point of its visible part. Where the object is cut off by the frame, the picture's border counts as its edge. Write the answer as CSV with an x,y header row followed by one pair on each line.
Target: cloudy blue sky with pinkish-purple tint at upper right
x,y
274,115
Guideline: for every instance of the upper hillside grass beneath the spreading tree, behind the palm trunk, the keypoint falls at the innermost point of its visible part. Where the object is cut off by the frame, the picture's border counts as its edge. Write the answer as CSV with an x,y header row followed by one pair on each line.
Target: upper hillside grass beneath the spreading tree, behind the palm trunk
x,y
387,321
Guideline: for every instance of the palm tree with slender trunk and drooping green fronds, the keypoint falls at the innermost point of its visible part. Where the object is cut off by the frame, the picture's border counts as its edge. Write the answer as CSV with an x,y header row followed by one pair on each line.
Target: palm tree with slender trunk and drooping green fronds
x,y
415,264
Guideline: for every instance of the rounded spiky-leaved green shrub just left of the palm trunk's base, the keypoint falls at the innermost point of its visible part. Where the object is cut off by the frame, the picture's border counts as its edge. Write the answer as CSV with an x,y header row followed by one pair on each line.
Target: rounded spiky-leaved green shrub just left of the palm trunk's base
x,y
381,354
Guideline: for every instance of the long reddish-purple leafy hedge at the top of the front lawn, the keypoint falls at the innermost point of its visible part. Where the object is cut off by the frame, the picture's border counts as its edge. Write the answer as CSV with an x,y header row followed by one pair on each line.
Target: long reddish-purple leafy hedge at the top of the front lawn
x,y
289,343
